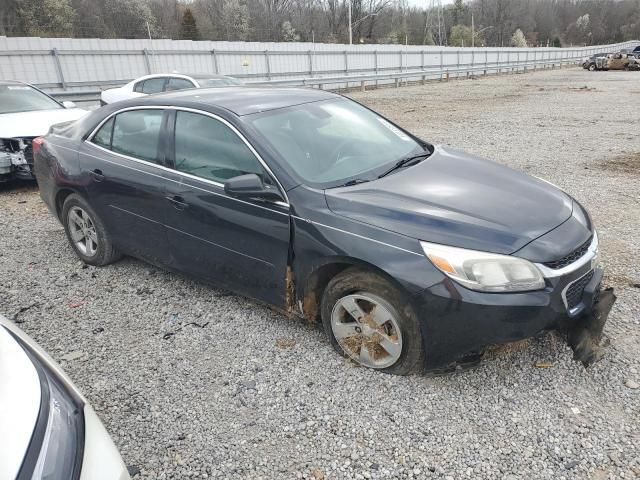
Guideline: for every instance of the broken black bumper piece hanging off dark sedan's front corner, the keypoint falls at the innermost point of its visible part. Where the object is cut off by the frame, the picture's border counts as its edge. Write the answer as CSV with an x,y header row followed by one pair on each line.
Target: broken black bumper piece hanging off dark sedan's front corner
x,y
585,338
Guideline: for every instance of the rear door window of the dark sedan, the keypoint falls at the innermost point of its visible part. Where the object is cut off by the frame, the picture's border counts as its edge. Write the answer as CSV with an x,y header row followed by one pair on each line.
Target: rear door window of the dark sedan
x,y
135,133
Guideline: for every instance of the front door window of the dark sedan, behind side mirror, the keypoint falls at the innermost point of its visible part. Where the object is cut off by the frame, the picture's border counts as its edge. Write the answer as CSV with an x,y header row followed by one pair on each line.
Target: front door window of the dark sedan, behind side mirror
x,y
207,148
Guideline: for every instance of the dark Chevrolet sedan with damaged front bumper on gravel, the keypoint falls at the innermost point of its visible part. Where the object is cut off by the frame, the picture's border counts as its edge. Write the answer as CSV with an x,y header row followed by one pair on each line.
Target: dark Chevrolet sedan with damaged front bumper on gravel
x,y
411,255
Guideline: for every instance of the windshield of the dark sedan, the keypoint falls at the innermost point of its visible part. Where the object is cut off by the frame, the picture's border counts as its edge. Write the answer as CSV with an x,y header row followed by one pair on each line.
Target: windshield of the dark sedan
x,y
331,142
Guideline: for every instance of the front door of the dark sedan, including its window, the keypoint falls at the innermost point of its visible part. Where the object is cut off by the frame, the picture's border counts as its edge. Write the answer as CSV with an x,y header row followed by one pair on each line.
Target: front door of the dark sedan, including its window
x,y
241,245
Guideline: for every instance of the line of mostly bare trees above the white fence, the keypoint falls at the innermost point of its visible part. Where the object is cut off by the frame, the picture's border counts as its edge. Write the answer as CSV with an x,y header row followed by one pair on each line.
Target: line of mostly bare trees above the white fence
x,y
463,23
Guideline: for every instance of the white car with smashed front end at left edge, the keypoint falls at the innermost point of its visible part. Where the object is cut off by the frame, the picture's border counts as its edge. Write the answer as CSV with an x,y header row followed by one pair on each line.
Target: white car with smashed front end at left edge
x,y
26,113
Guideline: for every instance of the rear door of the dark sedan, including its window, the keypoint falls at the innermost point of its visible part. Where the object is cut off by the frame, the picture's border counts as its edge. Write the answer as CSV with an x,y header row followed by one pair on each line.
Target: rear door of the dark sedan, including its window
x,y
126,178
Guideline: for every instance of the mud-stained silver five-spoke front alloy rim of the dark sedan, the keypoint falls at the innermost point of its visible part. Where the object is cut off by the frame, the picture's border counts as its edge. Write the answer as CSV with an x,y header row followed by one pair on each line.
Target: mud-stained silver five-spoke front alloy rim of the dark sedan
x,y
367,330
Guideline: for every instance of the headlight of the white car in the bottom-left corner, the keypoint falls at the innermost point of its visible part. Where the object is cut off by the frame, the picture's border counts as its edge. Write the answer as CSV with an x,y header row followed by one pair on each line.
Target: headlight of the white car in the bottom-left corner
x,y
56,447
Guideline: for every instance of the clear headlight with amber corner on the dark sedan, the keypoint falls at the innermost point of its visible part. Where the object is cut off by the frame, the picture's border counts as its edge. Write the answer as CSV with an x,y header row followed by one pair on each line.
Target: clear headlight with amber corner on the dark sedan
x,y
486,272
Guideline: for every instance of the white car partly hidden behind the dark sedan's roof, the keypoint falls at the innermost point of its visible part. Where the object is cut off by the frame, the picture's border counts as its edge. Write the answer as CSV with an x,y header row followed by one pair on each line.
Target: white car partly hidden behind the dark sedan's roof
x,y
164,82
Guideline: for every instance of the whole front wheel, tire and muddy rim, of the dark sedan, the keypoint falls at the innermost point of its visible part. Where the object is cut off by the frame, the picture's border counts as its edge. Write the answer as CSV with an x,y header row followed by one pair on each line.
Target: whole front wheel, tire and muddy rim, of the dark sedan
x,y
394,346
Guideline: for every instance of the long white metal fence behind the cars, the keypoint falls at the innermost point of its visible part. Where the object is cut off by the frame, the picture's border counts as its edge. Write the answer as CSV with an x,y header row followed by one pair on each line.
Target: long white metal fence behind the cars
x,y
67,67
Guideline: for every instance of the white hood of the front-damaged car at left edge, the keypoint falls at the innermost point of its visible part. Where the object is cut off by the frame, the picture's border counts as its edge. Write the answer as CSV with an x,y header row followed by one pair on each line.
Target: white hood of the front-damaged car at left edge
x,y
35,124
